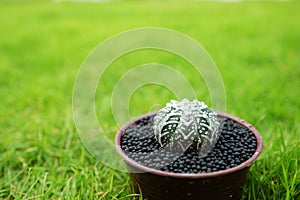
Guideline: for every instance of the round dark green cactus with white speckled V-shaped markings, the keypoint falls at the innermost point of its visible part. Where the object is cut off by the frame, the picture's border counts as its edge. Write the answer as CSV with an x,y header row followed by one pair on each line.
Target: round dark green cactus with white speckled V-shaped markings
x,y
184,124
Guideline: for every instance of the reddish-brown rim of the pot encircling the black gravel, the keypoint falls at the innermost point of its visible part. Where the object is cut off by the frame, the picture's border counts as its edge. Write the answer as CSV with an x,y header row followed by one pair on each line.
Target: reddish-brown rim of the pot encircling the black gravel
x,y
145,169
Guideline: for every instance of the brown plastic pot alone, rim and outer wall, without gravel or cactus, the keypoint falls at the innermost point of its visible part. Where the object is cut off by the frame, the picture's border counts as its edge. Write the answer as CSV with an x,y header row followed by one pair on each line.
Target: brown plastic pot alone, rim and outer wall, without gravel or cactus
x,y
155,184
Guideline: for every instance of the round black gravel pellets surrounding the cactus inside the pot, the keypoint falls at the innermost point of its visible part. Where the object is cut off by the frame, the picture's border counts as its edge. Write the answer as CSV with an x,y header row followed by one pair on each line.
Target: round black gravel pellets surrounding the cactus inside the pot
x,y
235,145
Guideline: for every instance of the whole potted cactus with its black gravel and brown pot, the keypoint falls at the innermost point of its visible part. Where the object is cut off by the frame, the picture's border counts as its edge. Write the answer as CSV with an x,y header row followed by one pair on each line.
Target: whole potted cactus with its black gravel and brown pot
x,y
188,151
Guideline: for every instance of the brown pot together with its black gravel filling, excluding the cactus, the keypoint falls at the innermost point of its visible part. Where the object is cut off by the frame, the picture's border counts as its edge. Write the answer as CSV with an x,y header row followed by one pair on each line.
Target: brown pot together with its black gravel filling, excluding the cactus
x,y
162,174
